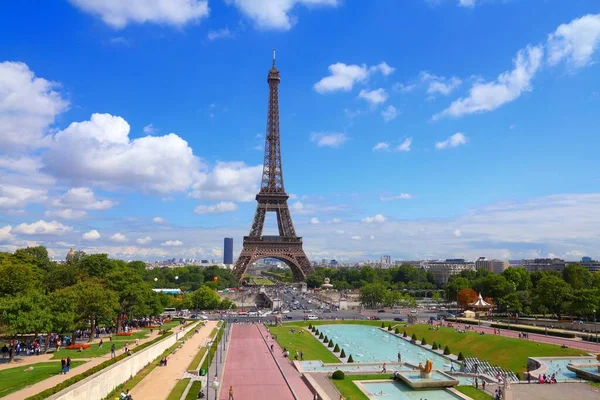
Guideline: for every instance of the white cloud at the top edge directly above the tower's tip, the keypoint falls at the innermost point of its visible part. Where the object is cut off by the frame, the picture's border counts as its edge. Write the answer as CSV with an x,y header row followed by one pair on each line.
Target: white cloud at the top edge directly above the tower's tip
x,y
275,14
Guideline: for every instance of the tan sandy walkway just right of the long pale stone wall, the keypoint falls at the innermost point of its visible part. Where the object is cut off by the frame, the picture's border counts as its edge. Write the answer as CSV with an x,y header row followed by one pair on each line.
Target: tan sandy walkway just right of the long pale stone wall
x,y
159,383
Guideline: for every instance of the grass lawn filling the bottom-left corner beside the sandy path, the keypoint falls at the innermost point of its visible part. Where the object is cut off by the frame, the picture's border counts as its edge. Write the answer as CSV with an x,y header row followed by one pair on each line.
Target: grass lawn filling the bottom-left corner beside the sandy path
x,y
13,379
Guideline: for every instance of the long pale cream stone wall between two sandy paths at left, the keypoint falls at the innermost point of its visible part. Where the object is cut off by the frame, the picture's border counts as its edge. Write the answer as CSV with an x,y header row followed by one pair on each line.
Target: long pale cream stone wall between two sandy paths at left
x,y
99,385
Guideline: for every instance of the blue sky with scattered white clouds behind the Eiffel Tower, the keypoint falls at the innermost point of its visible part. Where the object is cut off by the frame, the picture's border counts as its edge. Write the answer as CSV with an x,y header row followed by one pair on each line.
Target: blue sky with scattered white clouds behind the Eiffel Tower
x,y
418,128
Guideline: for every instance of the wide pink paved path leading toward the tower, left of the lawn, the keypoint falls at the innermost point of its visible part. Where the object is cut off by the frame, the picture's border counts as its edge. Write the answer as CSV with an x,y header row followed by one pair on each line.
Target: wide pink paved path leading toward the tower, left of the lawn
x,y
250,368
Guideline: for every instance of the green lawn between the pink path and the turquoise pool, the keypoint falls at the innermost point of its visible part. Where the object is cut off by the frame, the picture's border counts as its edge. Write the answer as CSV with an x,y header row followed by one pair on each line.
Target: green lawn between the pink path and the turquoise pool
x,y
305,342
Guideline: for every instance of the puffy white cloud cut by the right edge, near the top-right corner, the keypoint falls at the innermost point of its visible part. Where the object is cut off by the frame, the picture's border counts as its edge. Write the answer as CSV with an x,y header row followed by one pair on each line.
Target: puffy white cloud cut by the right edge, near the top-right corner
x,y
576,41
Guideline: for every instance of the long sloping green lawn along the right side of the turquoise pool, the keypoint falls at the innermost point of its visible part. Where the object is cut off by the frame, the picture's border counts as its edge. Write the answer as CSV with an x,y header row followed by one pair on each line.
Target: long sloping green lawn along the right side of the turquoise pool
x,y
508,353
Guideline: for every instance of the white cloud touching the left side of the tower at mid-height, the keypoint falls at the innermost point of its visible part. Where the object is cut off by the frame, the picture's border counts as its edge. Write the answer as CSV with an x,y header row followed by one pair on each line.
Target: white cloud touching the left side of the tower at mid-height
x,y
229,181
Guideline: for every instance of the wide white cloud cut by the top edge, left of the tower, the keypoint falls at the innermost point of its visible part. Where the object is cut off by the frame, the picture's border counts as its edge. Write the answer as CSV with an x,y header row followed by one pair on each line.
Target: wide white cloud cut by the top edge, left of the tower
x,y
119,13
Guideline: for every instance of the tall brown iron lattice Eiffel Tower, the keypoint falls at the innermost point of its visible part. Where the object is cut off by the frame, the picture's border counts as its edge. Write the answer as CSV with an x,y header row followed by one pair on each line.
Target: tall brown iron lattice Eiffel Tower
x,y
286,247
